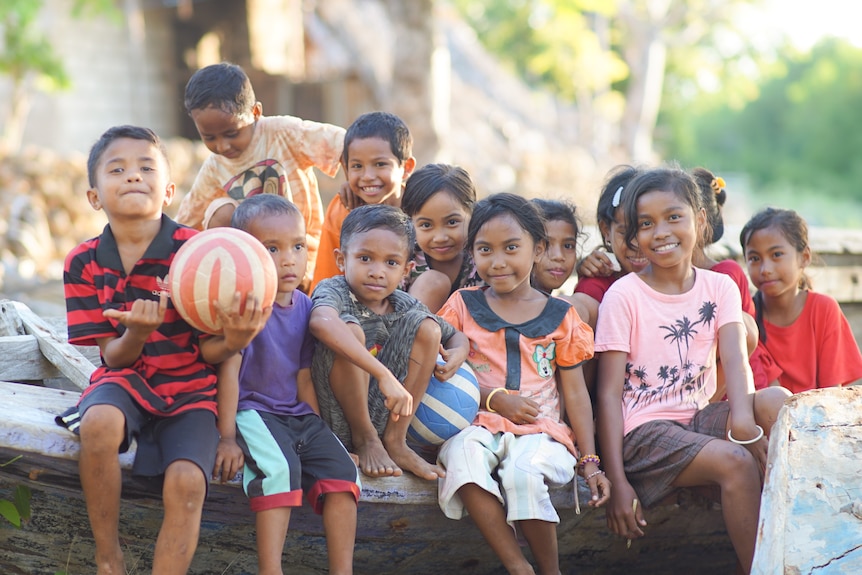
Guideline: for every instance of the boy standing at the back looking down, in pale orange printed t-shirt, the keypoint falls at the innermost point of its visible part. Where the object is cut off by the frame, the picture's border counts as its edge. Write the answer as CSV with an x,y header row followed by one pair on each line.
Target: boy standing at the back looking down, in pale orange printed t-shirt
x,y
254,154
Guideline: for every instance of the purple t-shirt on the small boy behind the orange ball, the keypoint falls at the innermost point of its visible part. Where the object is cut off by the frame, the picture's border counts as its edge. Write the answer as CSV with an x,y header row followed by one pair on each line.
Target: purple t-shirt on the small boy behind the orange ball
x,y
267,376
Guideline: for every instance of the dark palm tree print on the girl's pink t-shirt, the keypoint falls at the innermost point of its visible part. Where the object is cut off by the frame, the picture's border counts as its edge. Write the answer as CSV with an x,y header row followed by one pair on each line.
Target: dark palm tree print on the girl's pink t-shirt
x,y
676,383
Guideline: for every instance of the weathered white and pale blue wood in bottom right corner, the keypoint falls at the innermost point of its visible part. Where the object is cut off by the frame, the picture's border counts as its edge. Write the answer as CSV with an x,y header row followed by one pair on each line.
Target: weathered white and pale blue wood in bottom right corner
x,y
813,490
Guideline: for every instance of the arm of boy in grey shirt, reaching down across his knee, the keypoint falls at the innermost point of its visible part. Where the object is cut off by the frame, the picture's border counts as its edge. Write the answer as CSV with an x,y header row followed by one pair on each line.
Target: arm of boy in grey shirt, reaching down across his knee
x,y
334,333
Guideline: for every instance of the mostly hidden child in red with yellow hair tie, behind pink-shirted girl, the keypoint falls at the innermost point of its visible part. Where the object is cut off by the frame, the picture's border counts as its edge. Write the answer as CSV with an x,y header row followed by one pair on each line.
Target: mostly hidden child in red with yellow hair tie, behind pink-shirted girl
x,y
713,196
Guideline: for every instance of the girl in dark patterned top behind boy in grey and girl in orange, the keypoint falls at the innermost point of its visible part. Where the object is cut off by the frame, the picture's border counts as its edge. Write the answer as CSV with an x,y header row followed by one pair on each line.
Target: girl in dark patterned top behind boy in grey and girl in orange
x,y
439,199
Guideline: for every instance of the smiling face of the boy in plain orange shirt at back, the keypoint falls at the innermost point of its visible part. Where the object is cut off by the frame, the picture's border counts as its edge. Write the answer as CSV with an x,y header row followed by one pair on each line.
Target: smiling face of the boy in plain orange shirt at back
x,y
374,173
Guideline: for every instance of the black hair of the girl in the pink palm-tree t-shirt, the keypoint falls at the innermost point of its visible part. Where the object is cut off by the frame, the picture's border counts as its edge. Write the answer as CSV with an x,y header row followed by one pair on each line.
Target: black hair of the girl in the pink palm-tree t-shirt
x,y
667,179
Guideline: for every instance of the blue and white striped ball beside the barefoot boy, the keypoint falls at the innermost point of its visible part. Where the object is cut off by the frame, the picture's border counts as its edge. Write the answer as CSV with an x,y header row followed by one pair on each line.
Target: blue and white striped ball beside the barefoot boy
x,y
446,408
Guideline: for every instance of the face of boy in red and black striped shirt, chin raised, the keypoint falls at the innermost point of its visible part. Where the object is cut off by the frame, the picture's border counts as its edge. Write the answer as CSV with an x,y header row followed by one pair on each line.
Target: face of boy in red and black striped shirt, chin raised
x,y
132,181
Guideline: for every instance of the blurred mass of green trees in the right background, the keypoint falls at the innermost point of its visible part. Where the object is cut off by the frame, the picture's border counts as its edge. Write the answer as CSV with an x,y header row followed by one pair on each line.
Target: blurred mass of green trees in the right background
x,y
802,133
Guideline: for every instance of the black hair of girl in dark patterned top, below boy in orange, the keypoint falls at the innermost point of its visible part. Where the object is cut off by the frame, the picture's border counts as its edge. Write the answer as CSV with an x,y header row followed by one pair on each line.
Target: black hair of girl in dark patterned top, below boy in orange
x,y
433,178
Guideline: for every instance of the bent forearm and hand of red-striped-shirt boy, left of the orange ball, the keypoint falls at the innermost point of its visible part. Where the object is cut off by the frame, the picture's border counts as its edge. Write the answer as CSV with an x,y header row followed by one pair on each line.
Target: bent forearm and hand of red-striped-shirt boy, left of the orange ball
x,y
142,320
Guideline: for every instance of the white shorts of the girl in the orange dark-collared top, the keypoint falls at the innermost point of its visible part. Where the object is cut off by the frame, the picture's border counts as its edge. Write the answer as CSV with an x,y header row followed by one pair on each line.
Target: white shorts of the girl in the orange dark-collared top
x,y
516,469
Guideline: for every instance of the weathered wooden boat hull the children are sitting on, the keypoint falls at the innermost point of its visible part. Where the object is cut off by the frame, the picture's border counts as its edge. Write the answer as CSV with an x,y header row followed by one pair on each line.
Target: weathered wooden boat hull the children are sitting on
x,y
400,530
